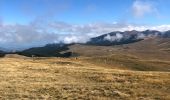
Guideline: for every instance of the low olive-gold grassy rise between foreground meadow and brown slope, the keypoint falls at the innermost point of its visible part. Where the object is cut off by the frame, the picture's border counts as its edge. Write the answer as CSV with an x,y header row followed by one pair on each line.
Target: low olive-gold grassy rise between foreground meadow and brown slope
x,y
129,62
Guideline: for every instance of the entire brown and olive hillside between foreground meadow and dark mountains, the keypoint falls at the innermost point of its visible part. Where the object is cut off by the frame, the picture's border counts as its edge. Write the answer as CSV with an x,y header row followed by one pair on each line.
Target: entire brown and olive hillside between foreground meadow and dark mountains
x,y
151,54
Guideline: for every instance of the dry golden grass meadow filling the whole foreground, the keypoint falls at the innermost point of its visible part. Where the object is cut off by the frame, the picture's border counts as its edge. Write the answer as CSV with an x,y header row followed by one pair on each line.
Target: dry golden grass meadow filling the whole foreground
x,y
69,78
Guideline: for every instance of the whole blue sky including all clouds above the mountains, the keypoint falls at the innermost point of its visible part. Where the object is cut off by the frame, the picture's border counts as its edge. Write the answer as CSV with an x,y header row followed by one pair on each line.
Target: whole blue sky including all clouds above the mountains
x,y
27,23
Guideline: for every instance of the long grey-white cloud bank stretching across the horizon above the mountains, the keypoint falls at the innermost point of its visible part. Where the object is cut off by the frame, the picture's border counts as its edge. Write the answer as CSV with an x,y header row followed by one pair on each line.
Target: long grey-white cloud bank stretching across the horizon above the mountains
x,y
32,35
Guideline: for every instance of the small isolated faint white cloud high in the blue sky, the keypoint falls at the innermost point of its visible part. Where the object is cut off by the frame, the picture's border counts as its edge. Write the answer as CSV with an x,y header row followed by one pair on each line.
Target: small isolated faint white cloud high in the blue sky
x,y
141,8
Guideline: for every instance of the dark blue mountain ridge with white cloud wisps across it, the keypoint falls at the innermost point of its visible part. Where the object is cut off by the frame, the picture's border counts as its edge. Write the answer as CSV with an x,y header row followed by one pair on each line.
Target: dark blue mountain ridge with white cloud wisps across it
x,y
118,38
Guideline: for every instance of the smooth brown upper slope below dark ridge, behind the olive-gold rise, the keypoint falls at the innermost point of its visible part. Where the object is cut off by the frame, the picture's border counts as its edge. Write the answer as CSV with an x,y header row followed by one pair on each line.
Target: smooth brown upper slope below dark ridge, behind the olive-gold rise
x,y
150,48
